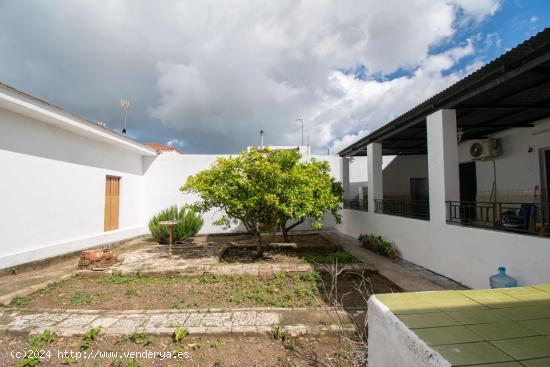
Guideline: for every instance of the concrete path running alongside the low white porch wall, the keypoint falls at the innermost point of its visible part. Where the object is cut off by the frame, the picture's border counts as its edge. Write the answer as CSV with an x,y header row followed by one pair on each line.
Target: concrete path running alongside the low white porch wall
x,y
406,276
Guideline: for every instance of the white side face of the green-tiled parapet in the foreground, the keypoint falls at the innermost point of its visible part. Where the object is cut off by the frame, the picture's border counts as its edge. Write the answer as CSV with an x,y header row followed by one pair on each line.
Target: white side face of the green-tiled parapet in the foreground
x,y
392,343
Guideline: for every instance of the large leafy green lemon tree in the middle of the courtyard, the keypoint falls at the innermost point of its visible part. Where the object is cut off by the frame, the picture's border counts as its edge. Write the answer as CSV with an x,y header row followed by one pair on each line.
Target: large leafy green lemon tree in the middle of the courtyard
x,y
266,190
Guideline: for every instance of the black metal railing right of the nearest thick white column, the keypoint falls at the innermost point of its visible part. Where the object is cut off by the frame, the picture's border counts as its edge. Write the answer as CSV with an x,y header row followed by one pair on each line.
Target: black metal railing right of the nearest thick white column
x,y
527,218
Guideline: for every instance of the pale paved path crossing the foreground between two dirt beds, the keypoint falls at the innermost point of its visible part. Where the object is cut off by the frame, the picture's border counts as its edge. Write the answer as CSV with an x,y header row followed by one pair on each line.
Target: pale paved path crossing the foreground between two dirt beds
x,y
163,322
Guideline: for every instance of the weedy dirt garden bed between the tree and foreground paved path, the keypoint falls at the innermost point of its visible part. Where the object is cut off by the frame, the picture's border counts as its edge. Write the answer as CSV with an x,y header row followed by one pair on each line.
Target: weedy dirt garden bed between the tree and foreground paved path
x,y
137,292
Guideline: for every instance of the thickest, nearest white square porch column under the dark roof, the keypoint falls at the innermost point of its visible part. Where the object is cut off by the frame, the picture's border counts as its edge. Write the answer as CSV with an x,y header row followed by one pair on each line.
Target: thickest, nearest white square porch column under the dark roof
x,y
442,162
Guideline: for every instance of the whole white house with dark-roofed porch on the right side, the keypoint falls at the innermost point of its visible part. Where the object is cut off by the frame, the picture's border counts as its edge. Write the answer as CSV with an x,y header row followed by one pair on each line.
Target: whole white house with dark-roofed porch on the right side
x,y
473,169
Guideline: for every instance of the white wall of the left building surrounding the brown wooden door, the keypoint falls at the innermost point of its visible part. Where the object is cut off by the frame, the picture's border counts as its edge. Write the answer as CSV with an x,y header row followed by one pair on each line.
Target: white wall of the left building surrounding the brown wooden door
x,y
53,190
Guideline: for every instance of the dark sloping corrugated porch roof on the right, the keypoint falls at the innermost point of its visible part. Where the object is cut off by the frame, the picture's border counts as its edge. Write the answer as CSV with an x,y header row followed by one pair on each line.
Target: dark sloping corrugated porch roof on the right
x,y
510,91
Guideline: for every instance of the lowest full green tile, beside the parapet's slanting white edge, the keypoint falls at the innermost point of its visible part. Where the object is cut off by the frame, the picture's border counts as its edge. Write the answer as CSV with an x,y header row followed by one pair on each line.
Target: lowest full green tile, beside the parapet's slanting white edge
x,y
472,353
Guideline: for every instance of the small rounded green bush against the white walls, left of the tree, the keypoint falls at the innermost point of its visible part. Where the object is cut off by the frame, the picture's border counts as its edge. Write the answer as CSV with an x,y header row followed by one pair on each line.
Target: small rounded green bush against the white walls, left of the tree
x,y
191,224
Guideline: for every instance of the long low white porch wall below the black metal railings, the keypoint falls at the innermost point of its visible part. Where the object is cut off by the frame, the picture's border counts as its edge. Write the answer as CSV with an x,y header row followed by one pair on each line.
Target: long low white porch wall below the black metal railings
x,y
467,255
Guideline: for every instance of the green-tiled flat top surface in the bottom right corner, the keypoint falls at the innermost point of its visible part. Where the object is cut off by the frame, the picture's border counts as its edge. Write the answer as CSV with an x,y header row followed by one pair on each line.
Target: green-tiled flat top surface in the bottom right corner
x,y
507,327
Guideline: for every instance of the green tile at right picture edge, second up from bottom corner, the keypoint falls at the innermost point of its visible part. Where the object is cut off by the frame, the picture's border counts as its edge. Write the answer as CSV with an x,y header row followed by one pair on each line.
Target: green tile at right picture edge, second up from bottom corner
x,y
525,348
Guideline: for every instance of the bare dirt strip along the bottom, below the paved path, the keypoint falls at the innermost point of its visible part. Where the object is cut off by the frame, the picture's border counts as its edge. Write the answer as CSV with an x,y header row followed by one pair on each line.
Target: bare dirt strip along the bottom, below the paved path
x,y
192,351
